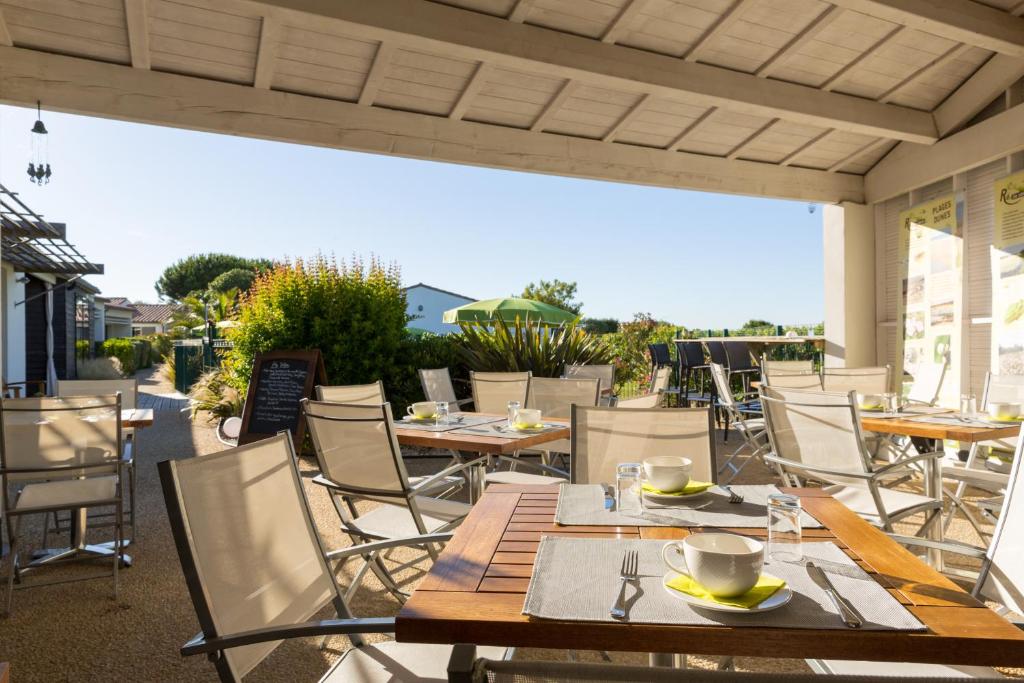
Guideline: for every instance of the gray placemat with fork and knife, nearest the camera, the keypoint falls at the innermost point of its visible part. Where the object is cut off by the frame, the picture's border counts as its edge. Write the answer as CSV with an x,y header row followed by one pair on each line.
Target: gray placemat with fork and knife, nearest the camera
x,y
578,580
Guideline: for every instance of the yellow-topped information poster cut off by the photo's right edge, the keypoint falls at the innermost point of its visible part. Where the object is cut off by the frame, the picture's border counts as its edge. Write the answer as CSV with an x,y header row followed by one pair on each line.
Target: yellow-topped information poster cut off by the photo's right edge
x,y
1008,277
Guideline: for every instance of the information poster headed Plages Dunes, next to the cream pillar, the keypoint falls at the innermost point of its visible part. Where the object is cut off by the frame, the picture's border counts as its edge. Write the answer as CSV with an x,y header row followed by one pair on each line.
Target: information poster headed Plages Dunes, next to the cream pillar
x,y
931,251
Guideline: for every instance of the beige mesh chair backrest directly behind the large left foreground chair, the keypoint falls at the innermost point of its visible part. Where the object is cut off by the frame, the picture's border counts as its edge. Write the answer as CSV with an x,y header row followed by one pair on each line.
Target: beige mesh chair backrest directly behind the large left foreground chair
x,y
357,448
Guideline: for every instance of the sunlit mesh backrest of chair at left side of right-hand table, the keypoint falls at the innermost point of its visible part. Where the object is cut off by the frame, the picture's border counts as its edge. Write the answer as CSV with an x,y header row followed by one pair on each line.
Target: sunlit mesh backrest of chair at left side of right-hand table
x,y
819,430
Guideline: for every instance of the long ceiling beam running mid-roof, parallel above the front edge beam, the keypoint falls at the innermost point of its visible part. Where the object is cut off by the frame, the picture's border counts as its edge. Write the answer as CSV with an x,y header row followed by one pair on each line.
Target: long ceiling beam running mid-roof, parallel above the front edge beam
x,y
460,34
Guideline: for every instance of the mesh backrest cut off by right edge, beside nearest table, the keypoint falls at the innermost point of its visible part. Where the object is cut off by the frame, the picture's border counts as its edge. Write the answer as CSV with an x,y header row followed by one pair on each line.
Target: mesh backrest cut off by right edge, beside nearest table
x,y
1003,576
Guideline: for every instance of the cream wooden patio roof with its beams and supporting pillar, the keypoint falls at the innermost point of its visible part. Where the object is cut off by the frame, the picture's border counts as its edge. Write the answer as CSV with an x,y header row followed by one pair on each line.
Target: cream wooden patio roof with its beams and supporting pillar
x,y
848,103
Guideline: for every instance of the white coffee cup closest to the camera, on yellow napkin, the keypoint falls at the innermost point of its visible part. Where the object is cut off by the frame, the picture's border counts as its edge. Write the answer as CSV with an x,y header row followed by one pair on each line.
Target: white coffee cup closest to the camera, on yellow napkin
x,y
726,565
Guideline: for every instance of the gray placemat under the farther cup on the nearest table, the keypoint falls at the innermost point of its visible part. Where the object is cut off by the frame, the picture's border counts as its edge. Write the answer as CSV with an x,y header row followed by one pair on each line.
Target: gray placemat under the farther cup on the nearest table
x,y
584,504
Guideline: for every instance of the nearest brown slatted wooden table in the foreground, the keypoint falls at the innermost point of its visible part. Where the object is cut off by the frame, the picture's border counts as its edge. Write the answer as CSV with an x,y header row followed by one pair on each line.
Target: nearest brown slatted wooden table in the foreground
x,y
476,592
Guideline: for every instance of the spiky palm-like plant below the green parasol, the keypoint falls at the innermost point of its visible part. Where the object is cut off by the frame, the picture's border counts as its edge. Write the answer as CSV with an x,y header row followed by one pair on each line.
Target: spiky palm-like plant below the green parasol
x,y
522,347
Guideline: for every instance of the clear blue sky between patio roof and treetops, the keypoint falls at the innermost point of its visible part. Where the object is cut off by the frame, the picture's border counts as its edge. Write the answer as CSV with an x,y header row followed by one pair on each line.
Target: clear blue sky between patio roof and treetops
x,y
138,198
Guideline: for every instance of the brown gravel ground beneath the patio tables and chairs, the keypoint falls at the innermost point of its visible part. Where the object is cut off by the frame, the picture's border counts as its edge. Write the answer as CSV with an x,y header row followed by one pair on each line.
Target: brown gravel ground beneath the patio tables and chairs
x,y
75,631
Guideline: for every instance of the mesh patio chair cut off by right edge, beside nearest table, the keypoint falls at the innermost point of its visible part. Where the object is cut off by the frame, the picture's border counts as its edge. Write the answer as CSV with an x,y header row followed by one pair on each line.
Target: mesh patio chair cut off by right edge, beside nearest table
x,y
1001,581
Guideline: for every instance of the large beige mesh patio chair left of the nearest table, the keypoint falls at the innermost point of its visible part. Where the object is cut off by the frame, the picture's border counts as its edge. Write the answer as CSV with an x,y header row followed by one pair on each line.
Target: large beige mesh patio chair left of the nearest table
x,y
255,569
